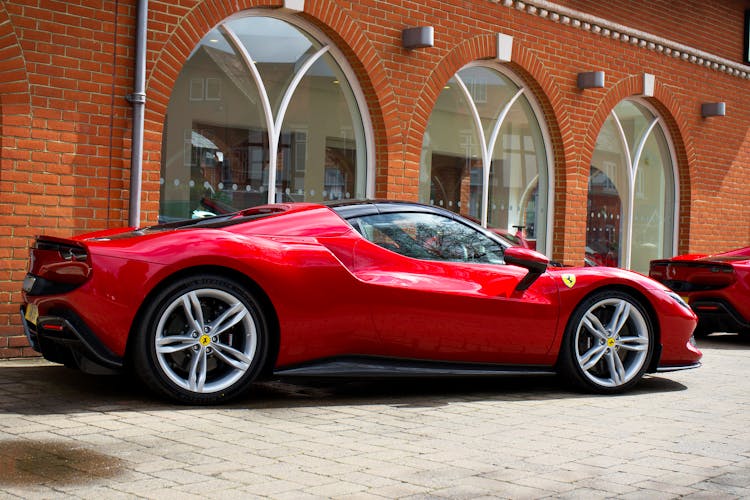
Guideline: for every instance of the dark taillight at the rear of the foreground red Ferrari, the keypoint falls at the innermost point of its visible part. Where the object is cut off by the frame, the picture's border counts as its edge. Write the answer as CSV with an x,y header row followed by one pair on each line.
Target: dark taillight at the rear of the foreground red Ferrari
x,y
56,267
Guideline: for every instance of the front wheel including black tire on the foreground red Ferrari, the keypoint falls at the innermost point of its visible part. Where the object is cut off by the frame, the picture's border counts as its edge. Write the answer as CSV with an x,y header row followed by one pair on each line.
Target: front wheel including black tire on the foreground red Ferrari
x,y
608,344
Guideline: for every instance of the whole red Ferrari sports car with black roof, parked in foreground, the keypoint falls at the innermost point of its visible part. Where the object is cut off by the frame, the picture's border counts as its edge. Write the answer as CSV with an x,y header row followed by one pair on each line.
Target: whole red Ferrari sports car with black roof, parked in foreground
x,y
201,308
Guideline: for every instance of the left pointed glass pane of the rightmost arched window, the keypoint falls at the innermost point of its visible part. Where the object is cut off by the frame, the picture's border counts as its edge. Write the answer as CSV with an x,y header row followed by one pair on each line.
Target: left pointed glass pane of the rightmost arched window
x,y
607,195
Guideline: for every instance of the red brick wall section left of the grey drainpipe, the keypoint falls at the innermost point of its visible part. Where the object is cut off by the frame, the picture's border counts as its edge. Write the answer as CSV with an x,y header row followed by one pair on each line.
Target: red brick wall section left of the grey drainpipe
x,y
65,131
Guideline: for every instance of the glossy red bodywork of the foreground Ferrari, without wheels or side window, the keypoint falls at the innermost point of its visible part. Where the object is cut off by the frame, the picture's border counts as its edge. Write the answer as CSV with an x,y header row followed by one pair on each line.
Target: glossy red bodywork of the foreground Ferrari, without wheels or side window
x,y
328,294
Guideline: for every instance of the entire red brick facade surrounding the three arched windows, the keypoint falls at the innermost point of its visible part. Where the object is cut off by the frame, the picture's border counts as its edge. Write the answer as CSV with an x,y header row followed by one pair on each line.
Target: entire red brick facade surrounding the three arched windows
x,y
65,70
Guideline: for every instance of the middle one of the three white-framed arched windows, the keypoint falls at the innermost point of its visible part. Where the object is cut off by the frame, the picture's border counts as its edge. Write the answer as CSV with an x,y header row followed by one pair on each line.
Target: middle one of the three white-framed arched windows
x,y
485,154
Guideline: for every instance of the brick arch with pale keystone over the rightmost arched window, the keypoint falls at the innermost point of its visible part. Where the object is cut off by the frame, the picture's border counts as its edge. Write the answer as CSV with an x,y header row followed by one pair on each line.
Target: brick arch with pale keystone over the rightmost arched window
x,y
676,123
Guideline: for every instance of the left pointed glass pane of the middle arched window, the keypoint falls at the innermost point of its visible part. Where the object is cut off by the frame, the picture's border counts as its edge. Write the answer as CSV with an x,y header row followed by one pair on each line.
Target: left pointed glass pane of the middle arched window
x,y
451,155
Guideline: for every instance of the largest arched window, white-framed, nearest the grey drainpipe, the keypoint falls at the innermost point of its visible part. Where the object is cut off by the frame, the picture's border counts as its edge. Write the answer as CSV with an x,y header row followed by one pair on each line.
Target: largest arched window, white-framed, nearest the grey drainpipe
x,y
262,112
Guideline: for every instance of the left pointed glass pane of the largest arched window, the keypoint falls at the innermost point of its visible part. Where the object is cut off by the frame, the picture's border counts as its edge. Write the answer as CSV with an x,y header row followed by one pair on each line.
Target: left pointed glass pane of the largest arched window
x,y
215,146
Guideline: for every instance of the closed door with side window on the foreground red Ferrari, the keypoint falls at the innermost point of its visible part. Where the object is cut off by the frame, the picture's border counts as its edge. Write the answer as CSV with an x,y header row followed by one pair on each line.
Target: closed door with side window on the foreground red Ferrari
x,y
439,289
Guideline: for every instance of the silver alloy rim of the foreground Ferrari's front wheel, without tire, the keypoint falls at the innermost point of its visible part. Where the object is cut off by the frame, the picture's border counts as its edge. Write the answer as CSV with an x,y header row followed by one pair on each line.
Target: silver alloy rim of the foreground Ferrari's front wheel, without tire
x,y
612,342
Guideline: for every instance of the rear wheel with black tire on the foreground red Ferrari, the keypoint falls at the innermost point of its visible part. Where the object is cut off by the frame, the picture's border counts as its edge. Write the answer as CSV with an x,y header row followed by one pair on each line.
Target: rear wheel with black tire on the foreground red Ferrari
x,y
215,364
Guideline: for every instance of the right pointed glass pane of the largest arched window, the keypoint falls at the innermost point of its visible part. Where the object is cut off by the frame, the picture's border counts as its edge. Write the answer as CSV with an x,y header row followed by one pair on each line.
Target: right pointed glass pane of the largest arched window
x,y
321,159
